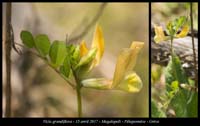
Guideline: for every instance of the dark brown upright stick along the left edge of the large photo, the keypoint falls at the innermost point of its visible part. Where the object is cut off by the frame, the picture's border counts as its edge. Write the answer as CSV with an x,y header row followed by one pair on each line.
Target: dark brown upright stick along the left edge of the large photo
x,y
8,45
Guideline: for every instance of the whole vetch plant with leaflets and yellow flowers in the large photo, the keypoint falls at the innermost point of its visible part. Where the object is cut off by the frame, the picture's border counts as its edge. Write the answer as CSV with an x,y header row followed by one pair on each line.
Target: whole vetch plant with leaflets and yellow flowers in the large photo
x,y
73,62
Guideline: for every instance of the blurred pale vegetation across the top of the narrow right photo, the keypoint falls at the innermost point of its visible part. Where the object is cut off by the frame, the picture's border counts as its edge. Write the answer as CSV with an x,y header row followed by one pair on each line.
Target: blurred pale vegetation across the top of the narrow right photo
x,y
161,13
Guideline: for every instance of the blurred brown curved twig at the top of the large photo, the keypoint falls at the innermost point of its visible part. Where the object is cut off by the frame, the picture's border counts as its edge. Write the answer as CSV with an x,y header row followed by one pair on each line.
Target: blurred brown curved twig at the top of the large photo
x,y
88,27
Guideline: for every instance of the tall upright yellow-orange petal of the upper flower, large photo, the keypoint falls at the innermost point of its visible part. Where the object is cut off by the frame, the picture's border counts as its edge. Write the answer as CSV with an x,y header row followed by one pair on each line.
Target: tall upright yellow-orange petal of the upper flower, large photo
x,y
98,42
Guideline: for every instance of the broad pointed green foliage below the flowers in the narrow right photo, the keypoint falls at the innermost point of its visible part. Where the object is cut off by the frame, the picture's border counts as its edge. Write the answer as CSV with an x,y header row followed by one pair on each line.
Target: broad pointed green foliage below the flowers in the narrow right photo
x,y
184,102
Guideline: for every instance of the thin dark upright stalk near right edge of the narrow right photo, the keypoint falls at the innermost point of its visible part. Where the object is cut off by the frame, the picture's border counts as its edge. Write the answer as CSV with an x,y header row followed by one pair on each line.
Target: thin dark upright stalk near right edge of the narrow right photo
x,y
193,46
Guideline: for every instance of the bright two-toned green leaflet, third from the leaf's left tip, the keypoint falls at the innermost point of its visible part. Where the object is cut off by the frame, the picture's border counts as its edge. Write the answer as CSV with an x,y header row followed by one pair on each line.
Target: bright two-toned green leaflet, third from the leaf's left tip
x,y
57,53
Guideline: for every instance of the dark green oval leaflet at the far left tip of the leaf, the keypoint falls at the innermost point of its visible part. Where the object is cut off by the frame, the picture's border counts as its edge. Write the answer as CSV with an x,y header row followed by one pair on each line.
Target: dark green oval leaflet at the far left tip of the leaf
x,y
27,39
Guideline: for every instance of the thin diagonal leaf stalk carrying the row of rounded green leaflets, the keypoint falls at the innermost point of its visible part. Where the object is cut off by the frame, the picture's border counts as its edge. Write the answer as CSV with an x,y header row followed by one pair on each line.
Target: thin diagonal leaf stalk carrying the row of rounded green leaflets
x,y
68,81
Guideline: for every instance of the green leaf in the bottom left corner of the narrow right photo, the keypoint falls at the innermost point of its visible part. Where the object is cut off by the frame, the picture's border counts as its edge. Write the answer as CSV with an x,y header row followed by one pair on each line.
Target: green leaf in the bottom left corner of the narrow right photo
x,y
156,112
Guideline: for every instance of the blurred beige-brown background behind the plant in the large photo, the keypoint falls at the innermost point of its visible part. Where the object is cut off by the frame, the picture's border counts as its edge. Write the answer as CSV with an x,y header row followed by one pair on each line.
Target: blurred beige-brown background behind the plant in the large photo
x,y
37,91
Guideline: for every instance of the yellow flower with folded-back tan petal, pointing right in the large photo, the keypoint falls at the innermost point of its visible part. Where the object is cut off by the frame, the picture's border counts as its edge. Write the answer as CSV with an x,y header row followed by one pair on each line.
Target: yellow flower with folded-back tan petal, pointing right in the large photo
x,y
124,77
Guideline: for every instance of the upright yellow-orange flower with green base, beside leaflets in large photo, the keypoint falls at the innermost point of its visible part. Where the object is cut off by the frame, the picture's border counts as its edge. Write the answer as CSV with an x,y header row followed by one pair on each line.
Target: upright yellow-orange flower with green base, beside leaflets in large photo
x,y
95,53
